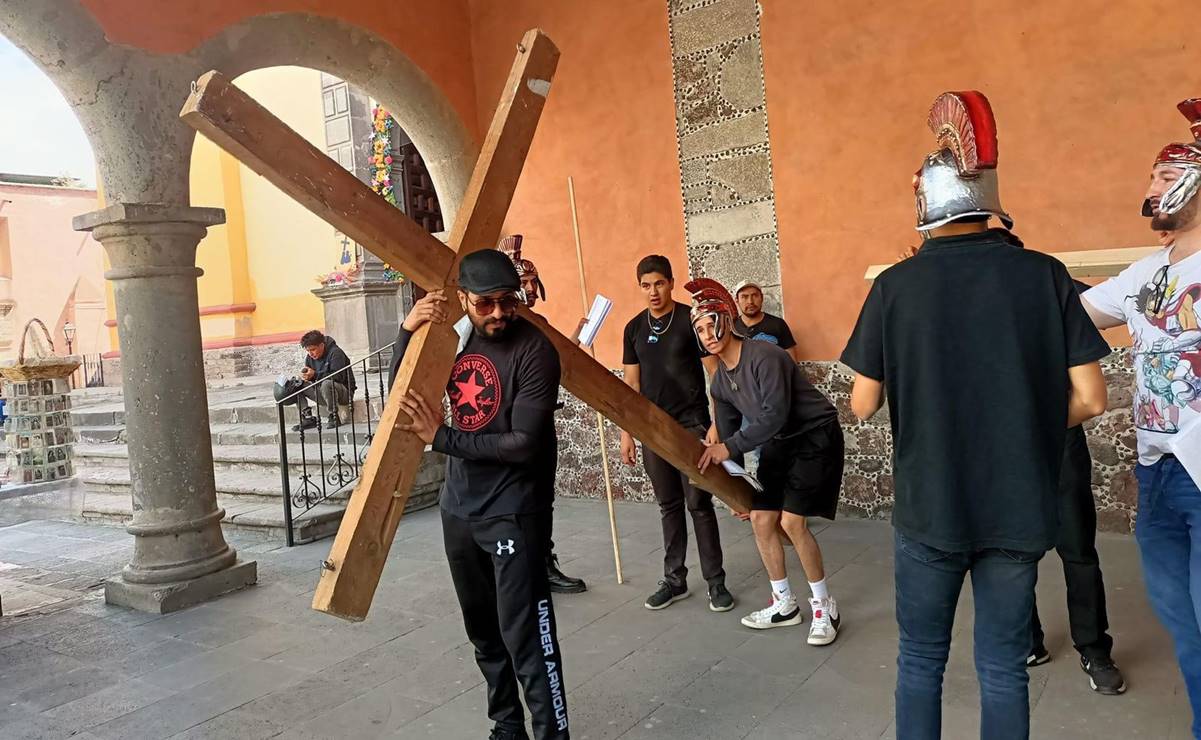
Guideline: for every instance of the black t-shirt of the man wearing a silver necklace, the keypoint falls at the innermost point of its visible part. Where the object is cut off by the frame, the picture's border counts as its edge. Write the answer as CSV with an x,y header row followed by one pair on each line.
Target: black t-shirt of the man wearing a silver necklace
x,y
668,356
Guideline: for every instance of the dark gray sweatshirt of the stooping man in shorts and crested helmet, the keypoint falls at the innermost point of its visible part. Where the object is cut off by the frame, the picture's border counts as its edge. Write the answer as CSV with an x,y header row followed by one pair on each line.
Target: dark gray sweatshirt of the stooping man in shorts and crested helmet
x,y
769,391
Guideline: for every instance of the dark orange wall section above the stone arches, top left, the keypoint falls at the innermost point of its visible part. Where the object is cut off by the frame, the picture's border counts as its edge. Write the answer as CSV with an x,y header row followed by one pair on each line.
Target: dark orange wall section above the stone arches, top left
x,y
432,34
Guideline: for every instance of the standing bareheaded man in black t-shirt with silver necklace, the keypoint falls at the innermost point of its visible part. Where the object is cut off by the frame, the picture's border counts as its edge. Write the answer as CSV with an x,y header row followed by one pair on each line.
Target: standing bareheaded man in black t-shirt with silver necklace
x,y
664,362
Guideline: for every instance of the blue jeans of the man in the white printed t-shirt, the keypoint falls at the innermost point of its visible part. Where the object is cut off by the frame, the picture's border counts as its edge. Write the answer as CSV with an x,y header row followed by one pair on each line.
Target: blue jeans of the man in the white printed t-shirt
x,y
1169,534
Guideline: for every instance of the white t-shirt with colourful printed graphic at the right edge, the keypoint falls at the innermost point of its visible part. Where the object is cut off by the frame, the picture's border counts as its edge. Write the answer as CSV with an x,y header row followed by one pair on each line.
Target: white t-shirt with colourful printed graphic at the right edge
x,y
1162,307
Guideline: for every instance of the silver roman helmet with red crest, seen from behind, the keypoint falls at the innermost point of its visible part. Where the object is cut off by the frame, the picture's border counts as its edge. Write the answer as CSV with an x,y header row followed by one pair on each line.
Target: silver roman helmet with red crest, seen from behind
x,y
960,180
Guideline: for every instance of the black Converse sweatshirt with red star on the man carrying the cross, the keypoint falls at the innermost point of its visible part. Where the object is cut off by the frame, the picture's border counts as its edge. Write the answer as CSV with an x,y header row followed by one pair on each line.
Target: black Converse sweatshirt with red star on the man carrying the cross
x,y
503,401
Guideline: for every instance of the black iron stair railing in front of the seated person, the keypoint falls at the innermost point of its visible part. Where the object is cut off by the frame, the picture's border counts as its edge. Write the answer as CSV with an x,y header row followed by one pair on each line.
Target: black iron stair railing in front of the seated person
x,y
334,464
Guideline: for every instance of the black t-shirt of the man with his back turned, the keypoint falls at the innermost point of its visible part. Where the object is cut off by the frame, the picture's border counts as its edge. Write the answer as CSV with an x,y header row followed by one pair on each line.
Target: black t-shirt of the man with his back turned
x,y
973,338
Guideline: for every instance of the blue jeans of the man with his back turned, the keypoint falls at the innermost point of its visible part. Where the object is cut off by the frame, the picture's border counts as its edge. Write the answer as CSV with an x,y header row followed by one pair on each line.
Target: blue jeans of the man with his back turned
x,y
928,589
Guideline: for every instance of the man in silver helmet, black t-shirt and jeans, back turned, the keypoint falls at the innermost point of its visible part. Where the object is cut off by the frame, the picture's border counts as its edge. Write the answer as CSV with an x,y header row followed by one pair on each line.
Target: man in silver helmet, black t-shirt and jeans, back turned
x,y
988,357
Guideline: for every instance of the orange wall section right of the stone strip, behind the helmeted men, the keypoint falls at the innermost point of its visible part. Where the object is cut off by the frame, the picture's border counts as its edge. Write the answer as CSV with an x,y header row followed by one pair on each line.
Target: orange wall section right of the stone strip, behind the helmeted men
x,y
1084,93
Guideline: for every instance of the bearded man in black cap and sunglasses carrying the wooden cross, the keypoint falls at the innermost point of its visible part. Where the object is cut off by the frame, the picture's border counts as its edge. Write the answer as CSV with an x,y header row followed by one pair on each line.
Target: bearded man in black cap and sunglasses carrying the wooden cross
x,y
503,393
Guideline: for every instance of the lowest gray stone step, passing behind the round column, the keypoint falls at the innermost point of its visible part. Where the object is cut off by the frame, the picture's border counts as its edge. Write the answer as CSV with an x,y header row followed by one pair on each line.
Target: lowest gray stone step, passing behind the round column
x,y
241,514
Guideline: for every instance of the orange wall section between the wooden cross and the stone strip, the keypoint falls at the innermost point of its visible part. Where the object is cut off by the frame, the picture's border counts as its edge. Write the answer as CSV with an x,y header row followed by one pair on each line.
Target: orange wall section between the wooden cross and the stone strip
x,y
611,124
